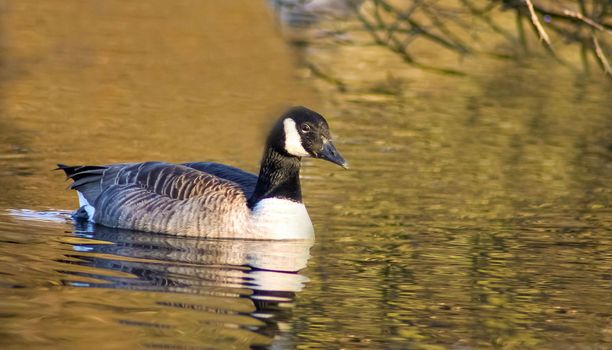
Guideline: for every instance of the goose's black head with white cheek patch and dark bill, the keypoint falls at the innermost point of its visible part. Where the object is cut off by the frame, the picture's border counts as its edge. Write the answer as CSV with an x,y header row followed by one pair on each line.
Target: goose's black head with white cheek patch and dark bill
x,y
302,132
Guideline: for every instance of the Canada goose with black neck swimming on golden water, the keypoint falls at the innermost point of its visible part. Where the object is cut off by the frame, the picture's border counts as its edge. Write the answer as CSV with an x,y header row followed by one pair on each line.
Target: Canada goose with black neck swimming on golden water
x,y
209,199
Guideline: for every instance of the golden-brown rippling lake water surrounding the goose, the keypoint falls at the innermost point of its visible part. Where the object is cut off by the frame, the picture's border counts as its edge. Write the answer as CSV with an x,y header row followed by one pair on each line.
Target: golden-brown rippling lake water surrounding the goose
x,y
476,214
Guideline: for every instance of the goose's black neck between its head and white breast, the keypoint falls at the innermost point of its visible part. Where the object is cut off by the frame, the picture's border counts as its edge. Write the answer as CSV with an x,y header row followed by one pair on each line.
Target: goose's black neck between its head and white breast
x,y
279,177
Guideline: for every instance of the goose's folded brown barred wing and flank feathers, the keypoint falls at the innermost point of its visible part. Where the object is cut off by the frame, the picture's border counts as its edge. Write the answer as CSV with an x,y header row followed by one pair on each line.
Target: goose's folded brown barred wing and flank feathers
x,y
159,197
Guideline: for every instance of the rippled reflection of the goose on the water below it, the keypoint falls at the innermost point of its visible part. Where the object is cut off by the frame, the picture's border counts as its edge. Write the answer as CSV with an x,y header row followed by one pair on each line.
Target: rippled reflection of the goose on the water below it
x,y
262,273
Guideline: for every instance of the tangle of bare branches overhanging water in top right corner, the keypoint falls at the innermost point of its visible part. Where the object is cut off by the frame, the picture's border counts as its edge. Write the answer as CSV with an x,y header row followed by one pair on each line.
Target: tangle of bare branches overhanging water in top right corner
x,y
440,23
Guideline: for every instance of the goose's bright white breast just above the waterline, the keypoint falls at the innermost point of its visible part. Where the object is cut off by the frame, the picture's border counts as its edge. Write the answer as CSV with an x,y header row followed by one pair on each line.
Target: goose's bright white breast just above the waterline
x,y
275,218
